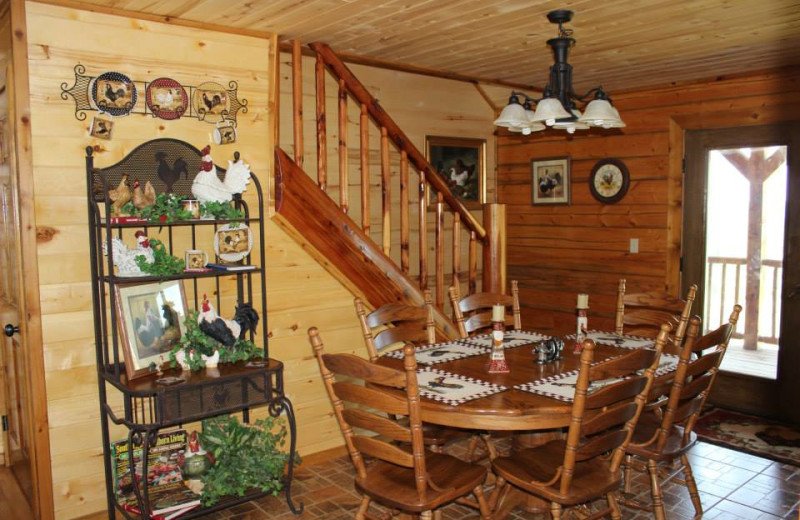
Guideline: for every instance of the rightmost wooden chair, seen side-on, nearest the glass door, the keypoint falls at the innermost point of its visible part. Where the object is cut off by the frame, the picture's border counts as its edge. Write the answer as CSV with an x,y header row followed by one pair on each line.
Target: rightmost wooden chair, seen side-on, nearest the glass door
x,y
668,436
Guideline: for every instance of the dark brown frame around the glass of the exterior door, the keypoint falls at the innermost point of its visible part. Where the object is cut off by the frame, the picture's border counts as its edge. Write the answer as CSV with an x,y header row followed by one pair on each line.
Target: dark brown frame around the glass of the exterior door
x,y
737,391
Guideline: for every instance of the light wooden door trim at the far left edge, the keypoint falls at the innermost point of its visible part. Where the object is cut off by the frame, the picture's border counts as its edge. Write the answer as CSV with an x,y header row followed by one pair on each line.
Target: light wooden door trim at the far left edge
x,y
21,159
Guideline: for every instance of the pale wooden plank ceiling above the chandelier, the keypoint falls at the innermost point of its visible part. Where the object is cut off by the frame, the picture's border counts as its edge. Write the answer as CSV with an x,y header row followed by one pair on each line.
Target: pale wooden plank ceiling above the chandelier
x,y
621,44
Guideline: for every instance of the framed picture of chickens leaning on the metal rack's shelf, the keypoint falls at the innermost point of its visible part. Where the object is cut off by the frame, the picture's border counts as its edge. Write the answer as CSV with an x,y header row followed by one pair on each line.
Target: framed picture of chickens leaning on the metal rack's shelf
x,y
150,320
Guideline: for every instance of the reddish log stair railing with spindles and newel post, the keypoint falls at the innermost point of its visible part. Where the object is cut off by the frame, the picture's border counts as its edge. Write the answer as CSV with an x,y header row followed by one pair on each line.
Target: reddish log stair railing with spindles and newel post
x,y
392,138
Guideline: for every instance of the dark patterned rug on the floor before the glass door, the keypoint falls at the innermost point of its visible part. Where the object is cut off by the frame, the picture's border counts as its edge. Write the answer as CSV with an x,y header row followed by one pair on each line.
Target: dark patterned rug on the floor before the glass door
x,y
769,439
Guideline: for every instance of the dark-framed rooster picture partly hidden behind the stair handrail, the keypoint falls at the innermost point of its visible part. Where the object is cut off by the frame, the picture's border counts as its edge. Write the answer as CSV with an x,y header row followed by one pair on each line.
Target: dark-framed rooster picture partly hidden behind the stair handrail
x,y
461,162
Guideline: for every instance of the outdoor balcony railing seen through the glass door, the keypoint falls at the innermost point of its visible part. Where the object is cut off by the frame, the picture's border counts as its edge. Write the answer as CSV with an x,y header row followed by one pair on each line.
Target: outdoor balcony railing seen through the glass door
x,y
726,280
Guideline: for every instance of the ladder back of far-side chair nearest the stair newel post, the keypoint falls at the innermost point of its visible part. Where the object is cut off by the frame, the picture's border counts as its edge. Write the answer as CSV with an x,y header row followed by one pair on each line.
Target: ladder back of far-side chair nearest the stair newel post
x,y
473,313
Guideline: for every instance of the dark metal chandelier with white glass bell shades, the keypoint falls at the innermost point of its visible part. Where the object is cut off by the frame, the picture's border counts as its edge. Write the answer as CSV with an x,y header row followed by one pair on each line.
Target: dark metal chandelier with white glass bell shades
x,y
558,106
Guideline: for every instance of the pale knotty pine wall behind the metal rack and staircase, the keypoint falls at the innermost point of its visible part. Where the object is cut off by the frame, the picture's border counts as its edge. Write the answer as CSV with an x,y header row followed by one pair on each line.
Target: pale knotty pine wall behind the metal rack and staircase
x,y
301,294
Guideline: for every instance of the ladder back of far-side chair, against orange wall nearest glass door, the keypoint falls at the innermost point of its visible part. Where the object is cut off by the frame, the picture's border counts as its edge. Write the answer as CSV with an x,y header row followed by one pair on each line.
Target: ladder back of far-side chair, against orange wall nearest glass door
x,y
643,313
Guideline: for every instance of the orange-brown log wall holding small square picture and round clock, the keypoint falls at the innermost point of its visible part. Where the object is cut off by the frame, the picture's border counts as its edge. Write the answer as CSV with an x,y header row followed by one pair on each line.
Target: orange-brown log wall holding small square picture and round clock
x,y
558,251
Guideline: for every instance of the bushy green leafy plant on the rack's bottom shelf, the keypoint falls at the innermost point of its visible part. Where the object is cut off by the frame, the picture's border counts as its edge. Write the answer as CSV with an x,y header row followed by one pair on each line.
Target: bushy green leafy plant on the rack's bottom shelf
x,y
245,457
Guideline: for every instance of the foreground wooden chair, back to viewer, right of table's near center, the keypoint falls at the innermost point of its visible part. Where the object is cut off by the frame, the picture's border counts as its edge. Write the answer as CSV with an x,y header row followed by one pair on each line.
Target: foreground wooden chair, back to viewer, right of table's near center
x,y
586,465
